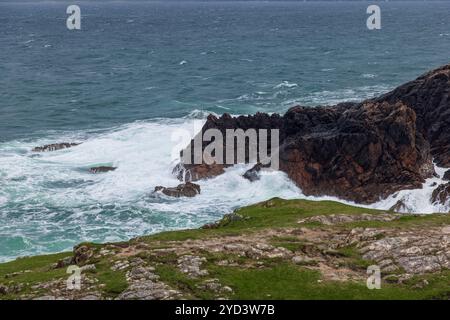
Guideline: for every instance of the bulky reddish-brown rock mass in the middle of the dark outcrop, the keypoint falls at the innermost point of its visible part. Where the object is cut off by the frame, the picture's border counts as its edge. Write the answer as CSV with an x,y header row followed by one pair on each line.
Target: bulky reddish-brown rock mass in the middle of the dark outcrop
x,y
362,152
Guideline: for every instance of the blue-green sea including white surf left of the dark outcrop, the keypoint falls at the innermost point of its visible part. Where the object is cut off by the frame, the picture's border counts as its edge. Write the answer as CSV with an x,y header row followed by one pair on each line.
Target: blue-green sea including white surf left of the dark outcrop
x,y
137,72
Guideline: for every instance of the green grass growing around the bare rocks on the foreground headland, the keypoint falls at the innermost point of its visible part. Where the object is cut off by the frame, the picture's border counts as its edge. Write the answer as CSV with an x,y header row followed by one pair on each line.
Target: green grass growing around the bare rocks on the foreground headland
x,y
261,279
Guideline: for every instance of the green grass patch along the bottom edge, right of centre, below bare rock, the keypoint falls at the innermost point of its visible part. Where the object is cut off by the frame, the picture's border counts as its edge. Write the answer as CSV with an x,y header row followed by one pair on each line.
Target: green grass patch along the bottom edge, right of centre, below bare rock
x,y
290,282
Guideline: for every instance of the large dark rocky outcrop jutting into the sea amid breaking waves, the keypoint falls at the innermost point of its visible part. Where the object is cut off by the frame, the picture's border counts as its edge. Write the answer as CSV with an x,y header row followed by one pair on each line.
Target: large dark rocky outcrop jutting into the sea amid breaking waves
x,y
356,151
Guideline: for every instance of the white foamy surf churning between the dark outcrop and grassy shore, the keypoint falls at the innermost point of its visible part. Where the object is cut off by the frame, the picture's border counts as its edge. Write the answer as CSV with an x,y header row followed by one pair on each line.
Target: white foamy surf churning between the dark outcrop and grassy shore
x,y
52,201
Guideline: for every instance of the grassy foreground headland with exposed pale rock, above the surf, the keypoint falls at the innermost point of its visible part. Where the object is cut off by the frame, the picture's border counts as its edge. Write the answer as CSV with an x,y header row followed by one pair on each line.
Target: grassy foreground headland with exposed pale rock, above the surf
x,y
277,249
